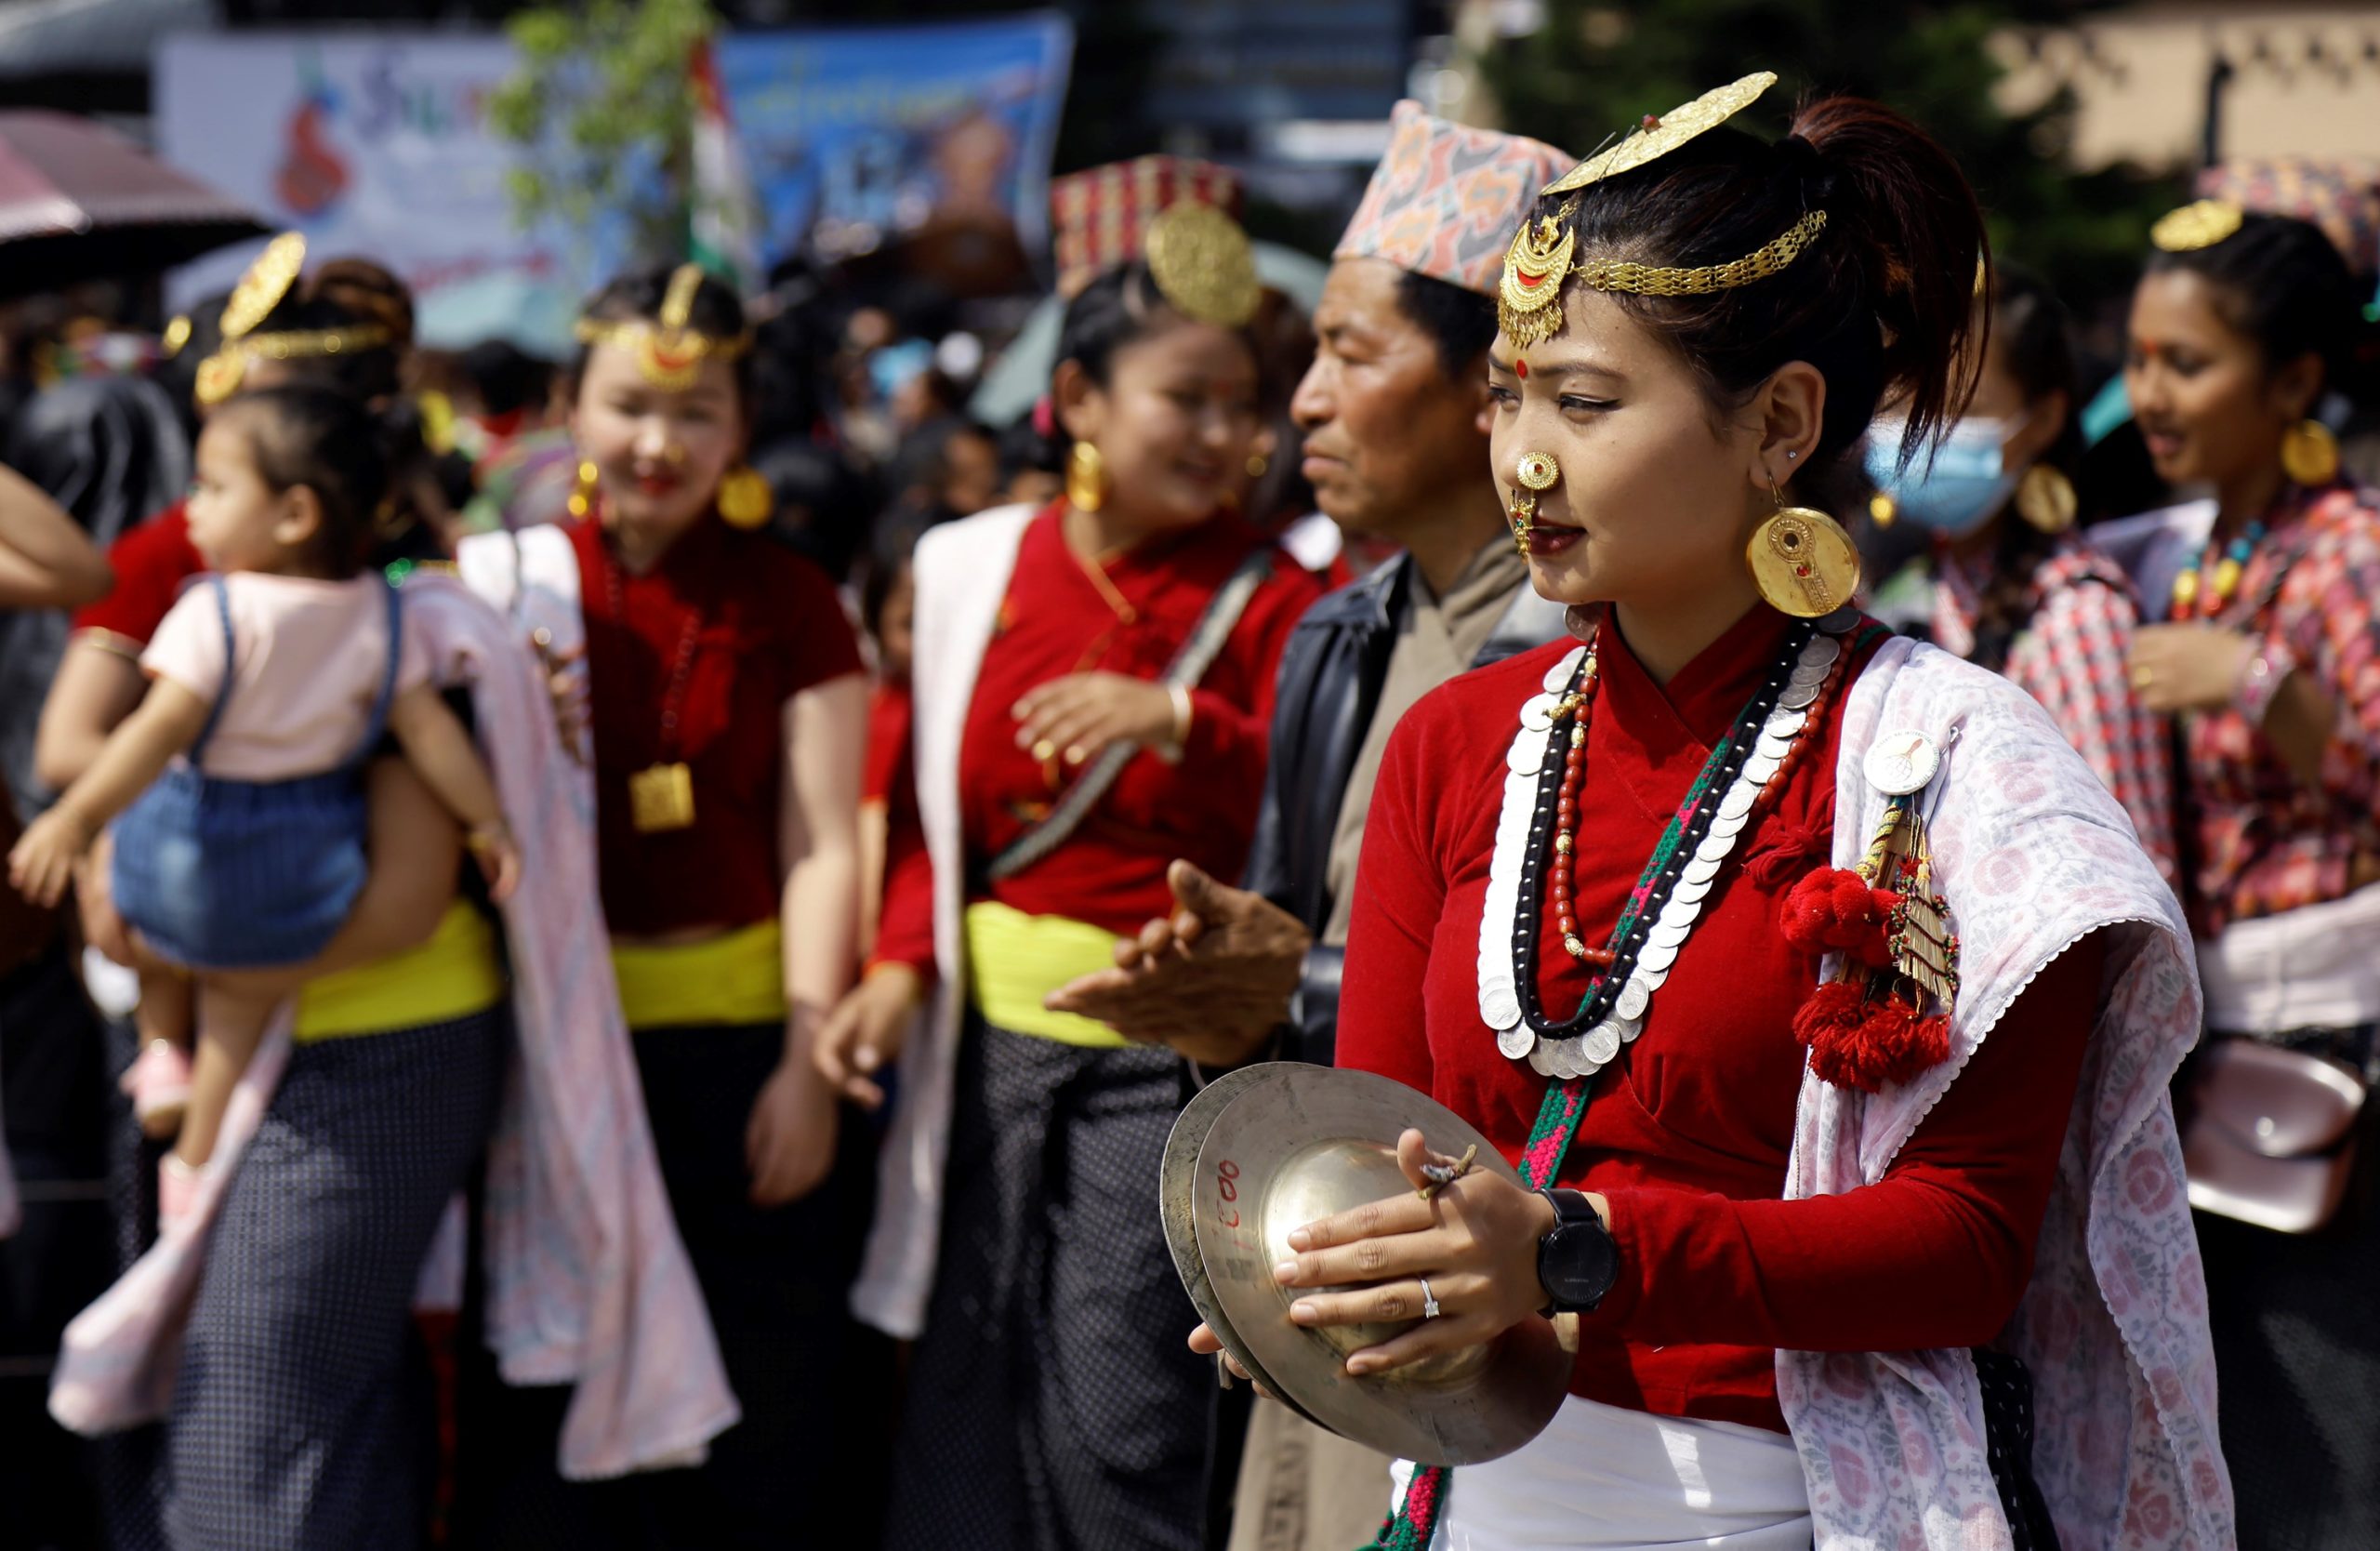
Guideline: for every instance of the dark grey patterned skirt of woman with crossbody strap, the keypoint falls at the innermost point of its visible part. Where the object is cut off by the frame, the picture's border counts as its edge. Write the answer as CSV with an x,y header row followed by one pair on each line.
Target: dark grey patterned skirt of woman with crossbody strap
x,y
1053,1400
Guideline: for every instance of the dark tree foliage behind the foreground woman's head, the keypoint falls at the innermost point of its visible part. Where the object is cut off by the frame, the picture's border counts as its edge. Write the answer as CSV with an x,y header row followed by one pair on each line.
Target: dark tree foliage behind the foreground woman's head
x,y
1601,65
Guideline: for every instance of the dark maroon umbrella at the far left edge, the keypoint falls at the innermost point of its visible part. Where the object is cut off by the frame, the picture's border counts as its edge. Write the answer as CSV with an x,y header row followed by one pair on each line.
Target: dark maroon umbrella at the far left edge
x,y
80,203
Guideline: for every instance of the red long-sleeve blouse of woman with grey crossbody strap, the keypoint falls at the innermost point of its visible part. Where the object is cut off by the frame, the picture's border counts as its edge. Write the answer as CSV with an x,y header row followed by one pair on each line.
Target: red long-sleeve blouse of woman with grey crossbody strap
x,y
1060,622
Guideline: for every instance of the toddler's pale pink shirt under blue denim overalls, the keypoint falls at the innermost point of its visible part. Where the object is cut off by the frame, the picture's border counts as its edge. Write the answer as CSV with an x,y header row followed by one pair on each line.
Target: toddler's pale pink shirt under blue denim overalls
x,y
308,663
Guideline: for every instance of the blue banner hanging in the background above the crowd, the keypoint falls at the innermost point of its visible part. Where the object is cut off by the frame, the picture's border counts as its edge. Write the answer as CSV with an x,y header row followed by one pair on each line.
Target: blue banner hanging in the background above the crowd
x,y
865,137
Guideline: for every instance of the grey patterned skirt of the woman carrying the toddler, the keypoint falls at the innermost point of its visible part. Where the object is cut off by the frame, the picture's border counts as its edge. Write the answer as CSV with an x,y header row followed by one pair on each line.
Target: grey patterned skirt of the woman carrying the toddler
x,y
296,1426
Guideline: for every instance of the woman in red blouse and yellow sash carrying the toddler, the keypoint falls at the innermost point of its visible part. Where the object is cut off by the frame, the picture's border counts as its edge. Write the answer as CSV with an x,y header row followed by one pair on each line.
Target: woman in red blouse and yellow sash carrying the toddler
x,y
289,1421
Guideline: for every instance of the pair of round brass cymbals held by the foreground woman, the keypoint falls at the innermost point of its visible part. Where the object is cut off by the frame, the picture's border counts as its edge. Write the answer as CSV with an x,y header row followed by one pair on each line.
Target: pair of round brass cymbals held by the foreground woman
x,y
1272,1148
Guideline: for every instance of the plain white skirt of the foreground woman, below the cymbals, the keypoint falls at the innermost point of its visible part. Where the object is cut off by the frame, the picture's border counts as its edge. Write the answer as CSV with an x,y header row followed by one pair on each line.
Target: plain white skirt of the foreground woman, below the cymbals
x,y
1603,1478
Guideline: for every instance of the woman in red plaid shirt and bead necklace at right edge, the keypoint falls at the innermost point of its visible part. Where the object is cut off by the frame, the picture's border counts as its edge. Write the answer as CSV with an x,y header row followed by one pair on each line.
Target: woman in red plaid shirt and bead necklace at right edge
x,y
2272,667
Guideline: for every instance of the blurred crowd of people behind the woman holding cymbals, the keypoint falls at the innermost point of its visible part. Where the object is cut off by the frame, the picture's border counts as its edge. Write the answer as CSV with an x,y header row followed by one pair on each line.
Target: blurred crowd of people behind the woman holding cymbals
x,y
891,703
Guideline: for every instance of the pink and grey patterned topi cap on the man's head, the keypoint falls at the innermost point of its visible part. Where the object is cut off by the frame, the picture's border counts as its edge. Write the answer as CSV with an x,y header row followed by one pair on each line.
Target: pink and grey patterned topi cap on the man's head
x,y
1446,199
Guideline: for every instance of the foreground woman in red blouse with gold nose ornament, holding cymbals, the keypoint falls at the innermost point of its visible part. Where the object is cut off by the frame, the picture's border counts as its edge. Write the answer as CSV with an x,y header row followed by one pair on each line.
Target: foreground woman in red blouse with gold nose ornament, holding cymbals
x,y
1596,912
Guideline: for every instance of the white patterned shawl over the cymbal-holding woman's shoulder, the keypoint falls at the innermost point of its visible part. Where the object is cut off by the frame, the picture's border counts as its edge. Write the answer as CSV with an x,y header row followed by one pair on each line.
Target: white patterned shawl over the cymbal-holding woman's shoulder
x,y
2034,855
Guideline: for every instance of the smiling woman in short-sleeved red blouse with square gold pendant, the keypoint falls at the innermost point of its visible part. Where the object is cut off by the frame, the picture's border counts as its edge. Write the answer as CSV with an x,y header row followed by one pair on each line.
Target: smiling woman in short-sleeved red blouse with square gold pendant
x,y
727,712
